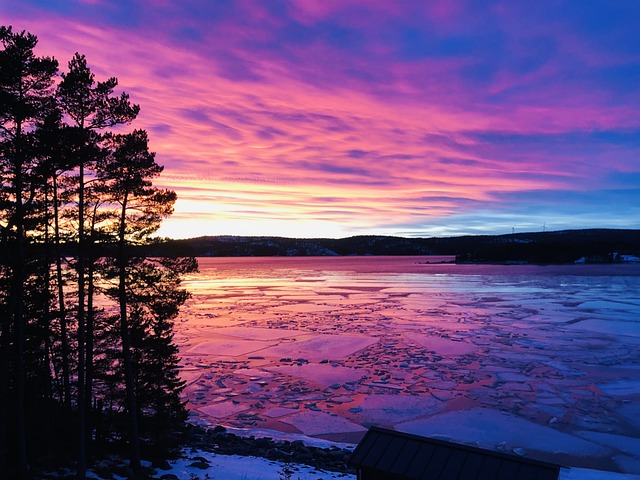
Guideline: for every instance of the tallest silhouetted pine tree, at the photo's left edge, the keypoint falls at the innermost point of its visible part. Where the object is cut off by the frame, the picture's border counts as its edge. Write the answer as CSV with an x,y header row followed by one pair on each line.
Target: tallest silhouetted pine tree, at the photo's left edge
x,y
25,89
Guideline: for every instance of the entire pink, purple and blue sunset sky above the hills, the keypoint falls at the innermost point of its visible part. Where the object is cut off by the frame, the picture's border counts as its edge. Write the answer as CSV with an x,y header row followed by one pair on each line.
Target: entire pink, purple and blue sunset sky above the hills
x,y
332,118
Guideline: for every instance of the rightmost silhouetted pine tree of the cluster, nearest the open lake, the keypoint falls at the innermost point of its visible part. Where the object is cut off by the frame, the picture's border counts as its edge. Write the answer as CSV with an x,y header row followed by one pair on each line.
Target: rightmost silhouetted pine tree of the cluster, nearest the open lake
x,y
146,290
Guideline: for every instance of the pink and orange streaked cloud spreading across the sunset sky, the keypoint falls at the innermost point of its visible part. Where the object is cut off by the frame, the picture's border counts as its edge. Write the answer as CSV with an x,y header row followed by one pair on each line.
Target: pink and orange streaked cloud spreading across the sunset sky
x,y
253,133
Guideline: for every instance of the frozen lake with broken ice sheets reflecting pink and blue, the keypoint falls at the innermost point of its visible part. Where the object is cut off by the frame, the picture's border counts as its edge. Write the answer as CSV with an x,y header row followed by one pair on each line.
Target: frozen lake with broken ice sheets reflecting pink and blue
x,y
541,361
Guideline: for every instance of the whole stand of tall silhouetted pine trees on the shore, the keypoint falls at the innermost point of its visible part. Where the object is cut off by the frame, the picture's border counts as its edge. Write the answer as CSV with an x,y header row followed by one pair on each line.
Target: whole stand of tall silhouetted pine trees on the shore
x,y
87,358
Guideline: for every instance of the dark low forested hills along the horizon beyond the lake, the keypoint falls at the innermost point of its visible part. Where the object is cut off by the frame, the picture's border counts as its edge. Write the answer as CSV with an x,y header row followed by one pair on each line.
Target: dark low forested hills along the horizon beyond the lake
x,y
566,246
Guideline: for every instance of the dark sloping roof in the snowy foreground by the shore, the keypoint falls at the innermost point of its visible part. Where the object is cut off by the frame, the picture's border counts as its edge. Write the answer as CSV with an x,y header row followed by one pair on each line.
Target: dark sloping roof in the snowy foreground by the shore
x,y
402,456
